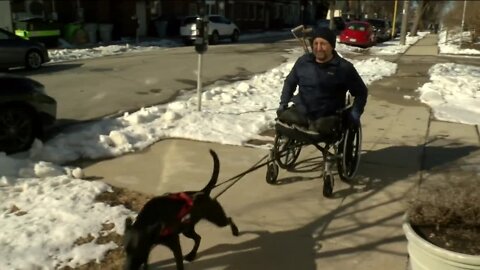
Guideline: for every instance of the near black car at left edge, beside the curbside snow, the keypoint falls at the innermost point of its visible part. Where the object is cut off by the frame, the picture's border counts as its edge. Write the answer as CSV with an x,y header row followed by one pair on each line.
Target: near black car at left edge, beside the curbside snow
x,y
25,112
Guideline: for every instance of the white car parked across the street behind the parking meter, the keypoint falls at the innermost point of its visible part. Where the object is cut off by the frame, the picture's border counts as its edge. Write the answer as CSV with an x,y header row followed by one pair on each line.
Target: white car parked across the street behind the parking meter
x,y
219,27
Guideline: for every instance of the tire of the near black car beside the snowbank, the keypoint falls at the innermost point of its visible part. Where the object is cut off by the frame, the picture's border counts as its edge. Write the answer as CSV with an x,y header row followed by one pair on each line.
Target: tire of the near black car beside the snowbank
x,y
17,129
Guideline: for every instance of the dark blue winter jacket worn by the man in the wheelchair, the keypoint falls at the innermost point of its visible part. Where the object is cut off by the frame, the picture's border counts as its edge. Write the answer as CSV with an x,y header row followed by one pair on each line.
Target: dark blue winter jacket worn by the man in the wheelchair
x,y
323,87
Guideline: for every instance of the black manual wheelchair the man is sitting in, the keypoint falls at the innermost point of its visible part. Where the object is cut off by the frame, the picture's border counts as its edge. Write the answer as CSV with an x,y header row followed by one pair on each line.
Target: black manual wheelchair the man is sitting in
x,y
341,147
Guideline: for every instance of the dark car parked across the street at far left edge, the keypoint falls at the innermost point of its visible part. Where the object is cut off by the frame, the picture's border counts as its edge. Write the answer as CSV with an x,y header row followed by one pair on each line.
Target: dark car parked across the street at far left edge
x,y
16,51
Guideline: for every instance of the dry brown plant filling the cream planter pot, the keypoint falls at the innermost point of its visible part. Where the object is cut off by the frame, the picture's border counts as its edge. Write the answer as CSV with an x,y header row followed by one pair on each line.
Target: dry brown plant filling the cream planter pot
x,y
448,215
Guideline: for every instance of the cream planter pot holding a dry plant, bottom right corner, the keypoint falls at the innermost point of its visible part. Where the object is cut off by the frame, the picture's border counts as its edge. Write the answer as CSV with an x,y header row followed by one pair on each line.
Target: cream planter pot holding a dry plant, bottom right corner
x,y
426,256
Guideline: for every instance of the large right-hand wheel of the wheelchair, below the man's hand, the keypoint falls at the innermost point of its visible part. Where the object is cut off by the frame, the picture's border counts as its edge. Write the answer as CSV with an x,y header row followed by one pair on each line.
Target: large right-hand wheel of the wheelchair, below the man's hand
x,y
349,150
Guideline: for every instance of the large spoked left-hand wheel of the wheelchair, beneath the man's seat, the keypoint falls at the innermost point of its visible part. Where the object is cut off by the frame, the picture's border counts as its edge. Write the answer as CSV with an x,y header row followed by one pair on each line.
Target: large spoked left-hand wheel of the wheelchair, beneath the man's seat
x,y
286,151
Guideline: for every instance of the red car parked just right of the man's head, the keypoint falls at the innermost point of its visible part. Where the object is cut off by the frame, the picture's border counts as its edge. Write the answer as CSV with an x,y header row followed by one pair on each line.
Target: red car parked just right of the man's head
x,y
358,33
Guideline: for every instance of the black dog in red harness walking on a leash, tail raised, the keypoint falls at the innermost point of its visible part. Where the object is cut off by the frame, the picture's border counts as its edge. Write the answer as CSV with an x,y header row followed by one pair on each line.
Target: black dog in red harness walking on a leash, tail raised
x,y
163,218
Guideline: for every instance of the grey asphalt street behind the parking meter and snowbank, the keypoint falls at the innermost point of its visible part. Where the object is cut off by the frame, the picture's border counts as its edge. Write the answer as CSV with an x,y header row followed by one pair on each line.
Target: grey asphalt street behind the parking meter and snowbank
x,y
93,88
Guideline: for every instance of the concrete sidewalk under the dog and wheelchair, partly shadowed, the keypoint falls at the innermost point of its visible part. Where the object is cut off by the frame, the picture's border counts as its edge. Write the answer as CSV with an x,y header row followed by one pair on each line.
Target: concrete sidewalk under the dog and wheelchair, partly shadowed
x,y
291,225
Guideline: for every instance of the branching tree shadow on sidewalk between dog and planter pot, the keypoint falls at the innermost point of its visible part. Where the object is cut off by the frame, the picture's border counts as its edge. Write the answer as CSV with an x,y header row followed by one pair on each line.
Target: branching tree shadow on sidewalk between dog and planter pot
x,y
302,248
